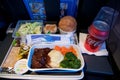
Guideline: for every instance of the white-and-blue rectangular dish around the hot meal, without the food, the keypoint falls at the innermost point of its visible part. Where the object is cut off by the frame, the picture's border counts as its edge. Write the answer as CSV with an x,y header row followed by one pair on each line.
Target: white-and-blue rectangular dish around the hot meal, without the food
x,y
51,46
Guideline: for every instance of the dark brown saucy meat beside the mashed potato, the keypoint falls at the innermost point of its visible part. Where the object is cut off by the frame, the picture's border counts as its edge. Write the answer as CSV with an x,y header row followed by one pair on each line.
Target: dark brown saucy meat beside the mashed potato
x,y
40,58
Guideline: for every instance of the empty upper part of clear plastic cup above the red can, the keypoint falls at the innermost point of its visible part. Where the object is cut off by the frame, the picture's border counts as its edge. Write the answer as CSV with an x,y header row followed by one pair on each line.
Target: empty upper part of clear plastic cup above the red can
x,y
108,15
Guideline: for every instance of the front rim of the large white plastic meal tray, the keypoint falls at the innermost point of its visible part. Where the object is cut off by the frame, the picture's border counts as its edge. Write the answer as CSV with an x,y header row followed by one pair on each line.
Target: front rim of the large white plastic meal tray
x,y
44,77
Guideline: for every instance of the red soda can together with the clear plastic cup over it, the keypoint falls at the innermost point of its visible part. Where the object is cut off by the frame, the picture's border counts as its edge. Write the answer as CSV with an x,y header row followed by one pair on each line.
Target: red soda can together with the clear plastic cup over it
x,y
99,30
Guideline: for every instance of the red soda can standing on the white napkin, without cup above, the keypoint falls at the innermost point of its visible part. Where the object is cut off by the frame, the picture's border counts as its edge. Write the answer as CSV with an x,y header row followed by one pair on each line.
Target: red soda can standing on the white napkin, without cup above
x,y
98,33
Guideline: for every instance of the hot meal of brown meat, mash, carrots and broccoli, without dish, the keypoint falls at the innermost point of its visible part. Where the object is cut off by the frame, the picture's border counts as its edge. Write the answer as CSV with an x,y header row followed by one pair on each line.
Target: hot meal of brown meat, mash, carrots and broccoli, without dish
x,y
58,57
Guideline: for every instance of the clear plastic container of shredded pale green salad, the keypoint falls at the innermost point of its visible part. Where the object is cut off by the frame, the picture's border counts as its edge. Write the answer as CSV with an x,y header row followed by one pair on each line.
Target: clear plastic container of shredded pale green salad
x,y
24,27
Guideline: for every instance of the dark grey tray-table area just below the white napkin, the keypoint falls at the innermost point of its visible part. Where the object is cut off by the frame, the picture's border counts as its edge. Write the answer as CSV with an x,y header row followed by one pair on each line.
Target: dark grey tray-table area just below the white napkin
x,y
97,64
